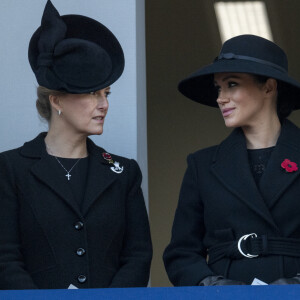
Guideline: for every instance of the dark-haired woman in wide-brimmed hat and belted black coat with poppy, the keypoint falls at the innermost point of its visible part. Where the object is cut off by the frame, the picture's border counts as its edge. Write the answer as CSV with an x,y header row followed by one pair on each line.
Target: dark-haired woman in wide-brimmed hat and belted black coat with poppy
x,y
237,220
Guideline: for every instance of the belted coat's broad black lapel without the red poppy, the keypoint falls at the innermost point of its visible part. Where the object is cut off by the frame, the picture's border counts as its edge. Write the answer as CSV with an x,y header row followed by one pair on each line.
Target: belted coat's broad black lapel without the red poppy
x,y
231,167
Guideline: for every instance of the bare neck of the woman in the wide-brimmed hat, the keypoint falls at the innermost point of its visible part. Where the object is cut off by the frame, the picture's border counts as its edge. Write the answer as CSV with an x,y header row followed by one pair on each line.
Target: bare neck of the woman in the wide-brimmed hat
x,y
262,135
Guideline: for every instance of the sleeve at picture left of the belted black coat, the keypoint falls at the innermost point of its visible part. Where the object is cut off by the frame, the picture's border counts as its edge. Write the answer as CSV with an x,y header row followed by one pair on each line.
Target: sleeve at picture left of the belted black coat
x,y
185,256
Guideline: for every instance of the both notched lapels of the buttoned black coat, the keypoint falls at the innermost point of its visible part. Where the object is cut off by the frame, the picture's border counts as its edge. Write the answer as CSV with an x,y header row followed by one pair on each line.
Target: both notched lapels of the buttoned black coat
x,y
100,177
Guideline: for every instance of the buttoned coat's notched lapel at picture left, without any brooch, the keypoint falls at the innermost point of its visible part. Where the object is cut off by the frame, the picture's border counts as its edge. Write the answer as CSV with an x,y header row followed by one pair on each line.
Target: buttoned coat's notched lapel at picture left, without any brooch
x,y
45,170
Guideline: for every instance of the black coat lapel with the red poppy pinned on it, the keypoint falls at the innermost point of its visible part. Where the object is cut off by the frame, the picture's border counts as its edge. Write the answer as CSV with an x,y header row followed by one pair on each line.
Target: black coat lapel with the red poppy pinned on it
x,y
276,180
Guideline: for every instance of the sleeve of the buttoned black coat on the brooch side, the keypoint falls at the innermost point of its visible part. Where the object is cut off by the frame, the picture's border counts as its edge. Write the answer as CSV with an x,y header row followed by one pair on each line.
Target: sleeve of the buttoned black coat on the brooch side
x,y
137,247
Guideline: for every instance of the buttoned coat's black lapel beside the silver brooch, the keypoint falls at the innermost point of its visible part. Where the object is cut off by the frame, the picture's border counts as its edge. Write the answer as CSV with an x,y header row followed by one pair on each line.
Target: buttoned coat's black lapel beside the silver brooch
x,y
100,176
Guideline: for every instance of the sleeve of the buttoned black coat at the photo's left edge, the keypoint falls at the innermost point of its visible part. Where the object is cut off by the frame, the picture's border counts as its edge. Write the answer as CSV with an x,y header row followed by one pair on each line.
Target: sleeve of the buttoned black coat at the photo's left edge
x,y
13,274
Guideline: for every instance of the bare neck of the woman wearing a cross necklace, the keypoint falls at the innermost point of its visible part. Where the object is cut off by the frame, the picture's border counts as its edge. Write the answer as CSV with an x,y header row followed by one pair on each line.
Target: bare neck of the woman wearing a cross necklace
x,y
65,145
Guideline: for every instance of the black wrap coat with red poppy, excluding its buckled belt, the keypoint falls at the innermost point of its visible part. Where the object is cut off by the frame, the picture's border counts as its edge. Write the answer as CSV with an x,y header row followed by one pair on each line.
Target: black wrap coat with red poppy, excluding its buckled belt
x,y
220,202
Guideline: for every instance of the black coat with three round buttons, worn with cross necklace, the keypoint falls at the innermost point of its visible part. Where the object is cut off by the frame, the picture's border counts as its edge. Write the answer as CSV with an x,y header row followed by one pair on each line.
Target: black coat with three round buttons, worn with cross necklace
x,y
41,230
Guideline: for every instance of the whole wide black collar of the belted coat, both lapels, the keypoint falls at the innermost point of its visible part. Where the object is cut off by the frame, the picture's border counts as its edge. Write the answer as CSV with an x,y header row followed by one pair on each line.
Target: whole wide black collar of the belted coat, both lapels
x,y
231,166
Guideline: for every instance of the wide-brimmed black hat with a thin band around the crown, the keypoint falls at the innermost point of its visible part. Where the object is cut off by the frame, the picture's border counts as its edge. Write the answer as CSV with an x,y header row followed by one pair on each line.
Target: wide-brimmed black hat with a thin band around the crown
x,y
242,54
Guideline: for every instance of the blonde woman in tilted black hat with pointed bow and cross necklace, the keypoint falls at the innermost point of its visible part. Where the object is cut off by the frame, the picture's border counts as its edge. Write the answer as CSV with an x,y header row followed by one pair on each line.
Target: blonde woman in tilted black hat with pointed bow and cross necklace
x,y
72,214
